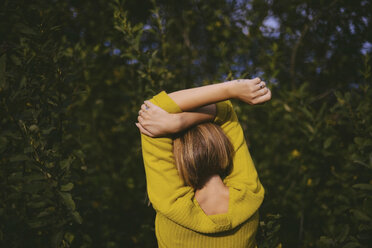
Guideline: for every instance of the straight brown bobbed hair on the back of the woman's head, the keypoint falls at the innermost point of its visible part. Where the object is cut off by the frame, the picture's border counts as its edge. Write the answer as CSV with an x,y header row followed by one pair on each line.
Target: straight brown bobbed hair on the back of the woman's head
x,y
202,151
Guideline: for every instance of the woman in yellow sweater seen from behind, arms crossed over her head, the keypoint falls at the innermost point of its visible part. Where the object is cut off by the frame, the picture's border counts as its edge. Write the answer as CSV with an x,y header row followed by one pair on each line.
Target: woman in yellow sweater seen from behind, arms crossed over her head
x,y
223,210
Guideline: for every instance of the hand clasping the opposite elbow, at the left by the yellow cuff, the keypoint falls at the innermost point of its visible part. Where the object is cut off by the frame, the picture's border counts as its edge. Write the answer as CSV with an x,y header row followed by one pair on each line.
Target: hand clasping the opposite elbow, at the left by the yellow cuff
x,y
154,121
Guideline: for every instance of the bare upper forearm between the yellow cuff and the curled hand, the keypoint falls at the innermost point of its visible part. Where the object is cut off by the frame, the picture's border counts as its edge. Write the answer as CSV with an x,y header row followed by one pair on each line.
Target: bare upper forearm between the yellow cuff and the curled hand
x,y
189,99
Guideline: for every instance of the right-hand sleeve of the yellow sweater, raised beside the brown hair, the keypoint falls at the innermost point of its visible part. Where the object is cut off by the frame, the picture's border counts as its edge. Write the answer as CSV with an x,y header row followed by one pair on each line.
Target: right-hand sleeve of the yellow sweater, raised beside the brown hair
x,y
246,191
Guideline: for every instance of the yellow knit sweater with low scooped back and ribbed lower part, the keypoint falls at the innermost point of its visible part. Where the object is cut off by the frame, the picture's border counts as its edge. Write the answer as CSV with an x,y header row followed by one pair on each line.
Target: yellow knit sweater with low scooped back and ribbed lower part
x,y
180,222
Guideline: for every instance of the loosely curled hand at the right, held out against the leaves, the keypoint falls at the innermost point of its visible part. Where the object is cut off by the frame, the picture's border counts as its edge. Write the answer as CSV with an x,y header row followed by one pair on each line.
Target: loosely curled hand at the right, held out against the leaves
x,y
251,91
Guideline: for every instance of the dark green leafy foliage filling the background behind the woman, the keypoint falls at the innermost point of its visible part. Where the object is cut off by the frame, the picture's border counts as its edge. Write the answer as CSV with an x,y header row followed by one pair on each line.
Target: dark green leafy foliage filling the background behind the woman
x,y
74,73
